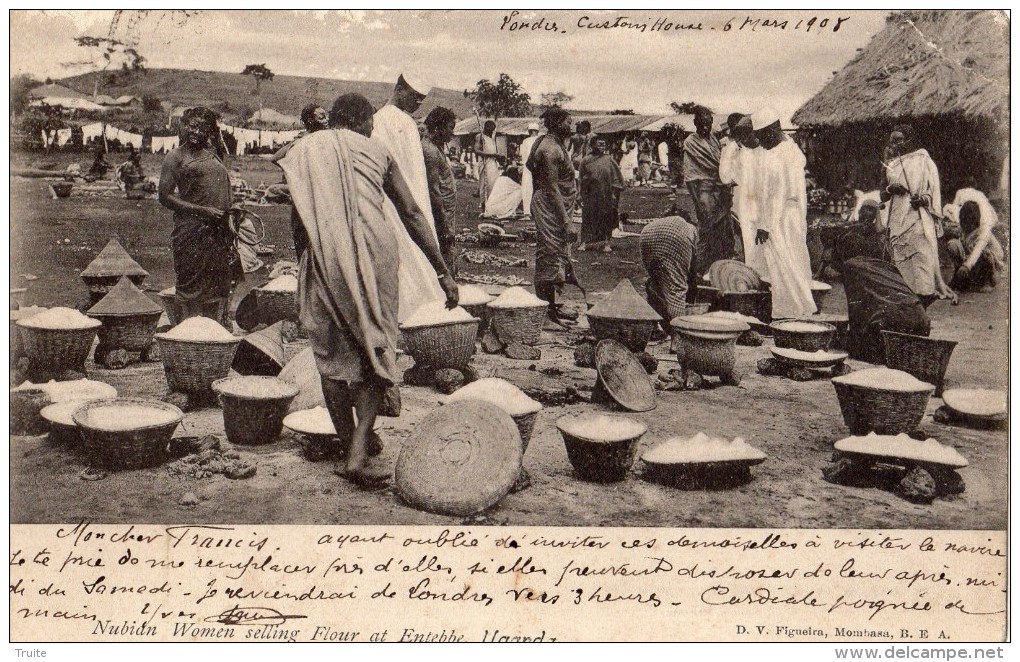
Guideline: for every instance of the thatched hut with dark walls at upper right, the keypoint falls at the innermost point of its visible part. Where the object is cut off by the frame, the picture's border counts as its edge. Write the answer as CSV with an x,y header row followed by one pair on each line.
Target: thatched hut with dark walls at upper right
x,y
946,73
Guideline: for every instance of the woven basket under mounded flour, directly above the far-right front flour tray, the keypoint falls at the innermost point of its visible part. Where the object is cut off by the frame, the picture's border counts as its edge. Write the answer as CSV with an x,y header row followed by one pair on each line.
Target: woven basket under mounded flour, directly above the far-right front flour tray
x,y
888,413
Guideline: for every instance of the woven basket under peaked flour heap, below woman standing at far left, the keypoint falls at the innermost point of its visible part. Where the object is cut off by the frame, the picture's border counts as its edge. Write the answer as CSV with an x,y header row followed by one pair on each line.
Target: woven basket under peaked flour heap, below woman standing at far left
x,y
192,367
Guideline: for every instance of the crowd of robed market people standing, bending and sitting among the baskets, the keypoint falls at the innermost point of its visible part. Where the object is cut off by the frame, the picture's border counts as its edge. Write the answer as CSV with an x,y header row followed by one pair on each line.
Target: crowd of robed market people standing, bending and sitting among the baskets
x,y
375,201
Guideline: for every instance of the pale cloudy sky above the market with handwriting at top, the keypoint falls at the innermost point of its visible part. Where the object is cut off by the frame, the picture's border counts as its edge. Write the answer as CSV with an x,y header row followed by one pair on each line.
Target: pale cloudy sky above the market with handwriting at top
x,y
731,65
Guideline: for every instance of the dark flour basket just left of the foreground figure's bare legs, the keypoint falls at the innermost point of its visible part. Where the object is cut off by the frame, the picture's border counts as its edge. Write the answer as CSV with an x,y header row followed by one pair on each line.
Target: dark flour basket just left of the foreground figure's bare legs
x,y
250,421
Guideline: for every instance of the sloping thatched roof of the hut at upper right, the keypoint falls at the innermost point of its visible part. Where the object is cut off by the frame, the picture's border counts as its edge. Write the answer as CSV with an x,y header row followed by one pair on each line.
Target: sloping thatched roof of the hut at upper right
x,y
923,64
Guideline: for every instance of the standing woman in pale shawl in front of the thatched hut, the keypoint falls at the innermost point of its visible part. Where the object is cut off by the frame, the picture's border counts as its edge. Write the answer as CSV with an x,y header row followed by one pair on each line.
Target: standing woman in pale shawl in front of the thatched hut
x,y
913,196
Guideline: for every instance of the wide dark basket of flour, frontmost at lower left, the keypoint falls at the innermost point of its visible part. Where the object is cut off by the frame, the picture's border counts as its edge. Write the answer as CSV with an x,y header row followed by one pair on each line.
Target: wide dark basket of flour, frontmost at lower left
x,y
127,449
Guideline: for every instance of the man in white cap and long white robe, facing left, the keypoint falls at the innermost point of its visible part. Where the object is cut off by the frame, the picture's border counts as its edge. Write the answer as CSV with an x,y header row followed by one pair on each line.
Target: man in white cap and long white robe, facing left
x,y
782,226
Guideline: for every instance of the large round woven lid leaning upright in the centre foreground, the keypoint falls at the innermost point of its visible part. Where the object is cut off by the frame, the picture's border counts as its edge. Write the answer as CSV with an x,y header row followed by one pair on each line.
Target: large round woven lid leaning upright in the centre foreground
x,y
461,461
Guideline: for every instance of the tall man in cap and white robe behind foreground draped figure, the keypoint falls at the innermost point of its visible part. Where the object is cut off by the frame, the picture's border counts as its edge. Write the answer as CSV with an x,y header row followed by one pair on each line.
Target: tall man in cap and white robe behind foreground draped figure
x,y
395,128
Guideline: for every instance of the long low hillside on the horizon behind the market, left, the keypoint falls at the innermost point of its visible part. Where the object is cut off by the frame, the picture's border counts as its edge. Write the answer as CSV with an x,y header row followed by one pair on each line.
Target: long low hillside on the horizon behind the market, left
x,y
232,93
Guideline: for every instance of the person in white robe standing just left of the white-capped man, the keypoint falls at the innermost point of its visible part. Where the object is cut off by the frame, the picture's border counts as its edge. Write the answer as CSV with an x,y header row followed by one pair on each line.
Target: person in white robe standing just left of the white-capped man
x,y
739,168
